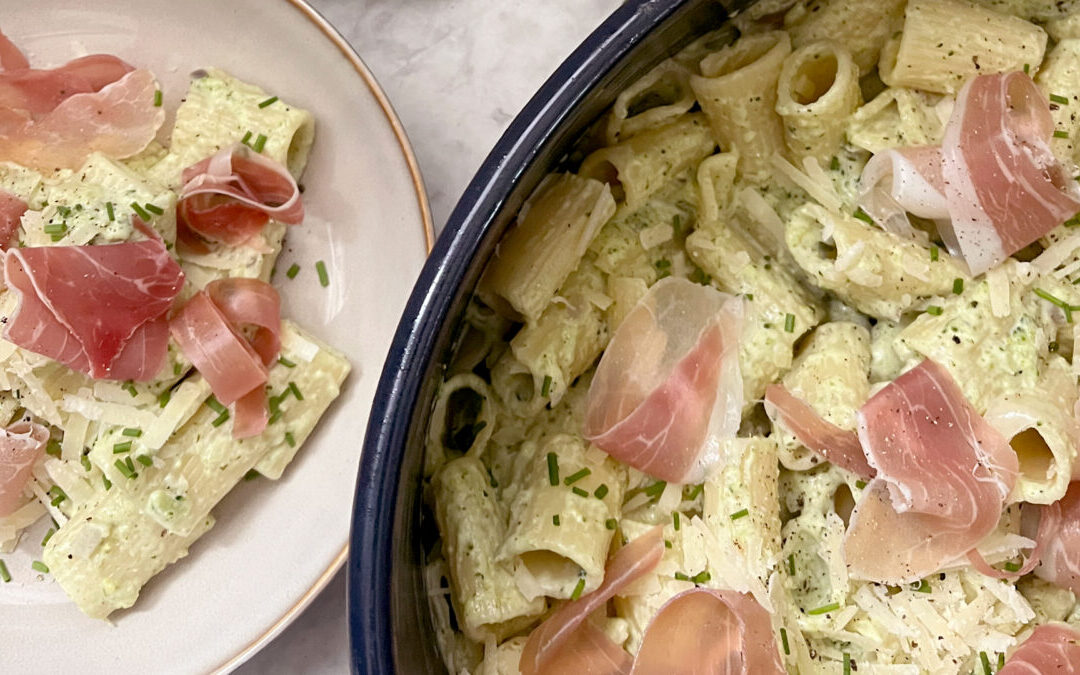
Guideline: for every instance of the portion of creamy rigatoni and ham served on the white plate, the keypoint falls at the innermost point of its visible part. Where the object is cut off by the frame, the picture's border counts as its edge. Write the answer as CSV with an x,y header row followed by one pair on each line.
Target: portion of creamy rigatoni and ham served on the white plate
x,y
145,367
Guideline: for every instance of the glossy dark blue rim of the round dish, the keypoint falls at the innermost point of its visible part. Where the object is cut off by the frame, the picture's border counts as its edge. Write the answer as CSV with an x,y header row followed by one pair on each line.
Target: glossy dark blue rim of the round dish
x,y
370,565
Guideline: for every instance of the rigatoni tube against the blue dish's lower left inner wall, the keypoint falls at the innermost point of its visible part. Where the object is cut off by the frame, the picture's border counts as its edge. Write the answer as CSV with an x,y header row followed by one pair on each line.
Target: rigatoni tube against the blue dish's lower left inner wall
x,y
485,598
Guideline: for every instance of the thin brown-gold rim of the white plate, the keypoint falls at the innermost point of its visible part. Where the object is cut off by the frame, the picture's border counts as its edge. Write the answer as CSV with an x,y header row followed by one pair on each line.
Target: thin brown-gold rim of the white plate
x,y
313,16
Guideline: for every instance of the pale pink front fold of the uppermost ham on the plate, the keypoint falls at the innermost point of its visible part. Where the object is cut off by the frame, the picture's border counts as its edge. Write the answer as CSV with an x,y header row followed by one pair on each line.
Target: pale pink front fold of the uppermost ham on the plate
x,y
118,121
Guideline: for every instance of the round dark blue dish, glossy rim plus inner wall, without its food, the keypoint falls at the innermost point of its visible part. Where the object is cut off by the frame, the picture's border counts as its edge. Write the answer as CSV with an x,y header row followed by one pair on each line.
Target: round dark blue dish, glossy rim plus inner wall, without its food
x,y
389,625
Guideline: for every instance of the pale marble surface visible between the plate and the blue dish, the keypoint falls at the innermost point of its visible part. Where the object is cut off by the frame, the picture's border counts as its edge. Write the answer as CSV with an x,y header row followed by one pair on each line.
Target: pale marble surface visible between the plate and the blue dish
x,y
457,73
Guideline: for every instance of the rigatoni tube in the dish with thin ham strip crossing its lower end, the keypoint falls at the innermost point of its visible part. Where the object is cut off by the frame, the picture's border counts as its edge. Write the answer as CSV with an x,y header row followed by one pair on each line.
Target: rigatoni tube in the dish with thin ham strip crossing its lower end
x,y
832,375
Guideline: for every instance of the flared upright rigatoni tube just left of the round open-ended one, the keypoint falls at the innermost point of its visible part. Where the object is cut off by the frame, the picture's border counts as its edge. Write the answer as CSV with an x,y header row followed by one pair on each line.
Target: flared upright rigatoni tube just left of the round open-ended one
x,y
738,92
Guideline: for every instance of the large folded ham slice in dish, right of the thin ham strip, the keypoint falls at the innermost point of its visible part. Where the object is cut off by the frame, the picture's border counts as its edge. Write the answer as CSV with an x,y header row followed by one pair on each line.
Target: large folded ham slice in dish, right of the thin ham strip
x,y
943,475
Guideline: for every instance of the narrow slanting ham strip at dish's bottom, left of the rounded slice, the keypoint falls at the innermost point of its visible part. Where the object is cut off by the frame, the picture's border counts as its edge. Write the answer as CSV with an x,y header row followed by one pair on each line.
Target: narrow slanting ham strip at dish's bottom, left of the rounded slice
x,y
556,645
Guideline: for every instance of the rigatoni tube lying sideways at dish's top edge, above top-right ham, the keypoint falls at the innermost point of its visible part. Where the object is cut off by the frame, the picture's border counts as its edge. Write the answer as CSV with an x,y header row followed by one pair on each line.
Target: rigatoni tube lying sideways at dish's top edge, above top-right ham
x,y
947,43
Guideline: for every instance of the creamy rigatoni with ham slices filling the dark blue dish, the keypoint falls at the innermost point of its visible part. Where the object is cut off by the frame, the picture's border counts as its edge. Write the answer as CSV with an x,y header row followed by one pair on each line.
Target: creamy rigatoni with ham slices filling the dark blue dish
x,y
778,371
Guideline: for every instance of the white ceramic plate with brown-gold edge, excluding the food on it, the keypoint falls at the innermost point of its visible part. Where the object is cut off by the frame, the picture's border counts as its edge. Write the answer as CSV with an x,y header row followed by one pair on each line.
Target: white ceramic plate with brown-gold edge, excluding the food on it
x,y
276,545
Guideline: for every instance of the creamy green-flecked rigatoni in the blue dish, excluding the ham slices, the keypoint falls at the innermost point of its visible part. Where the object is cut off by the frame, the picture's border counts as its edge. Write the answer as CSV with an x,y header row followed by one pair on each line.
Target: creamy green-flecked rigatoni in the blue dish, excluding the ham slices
x,y
736,165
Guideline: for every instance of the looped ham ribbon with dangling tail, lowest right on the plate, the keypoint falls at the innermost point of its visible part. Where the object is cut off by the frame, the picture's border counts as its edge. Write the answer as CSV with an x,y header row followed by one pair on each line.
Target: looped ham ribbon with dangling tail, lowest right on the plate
x,y
209,331
